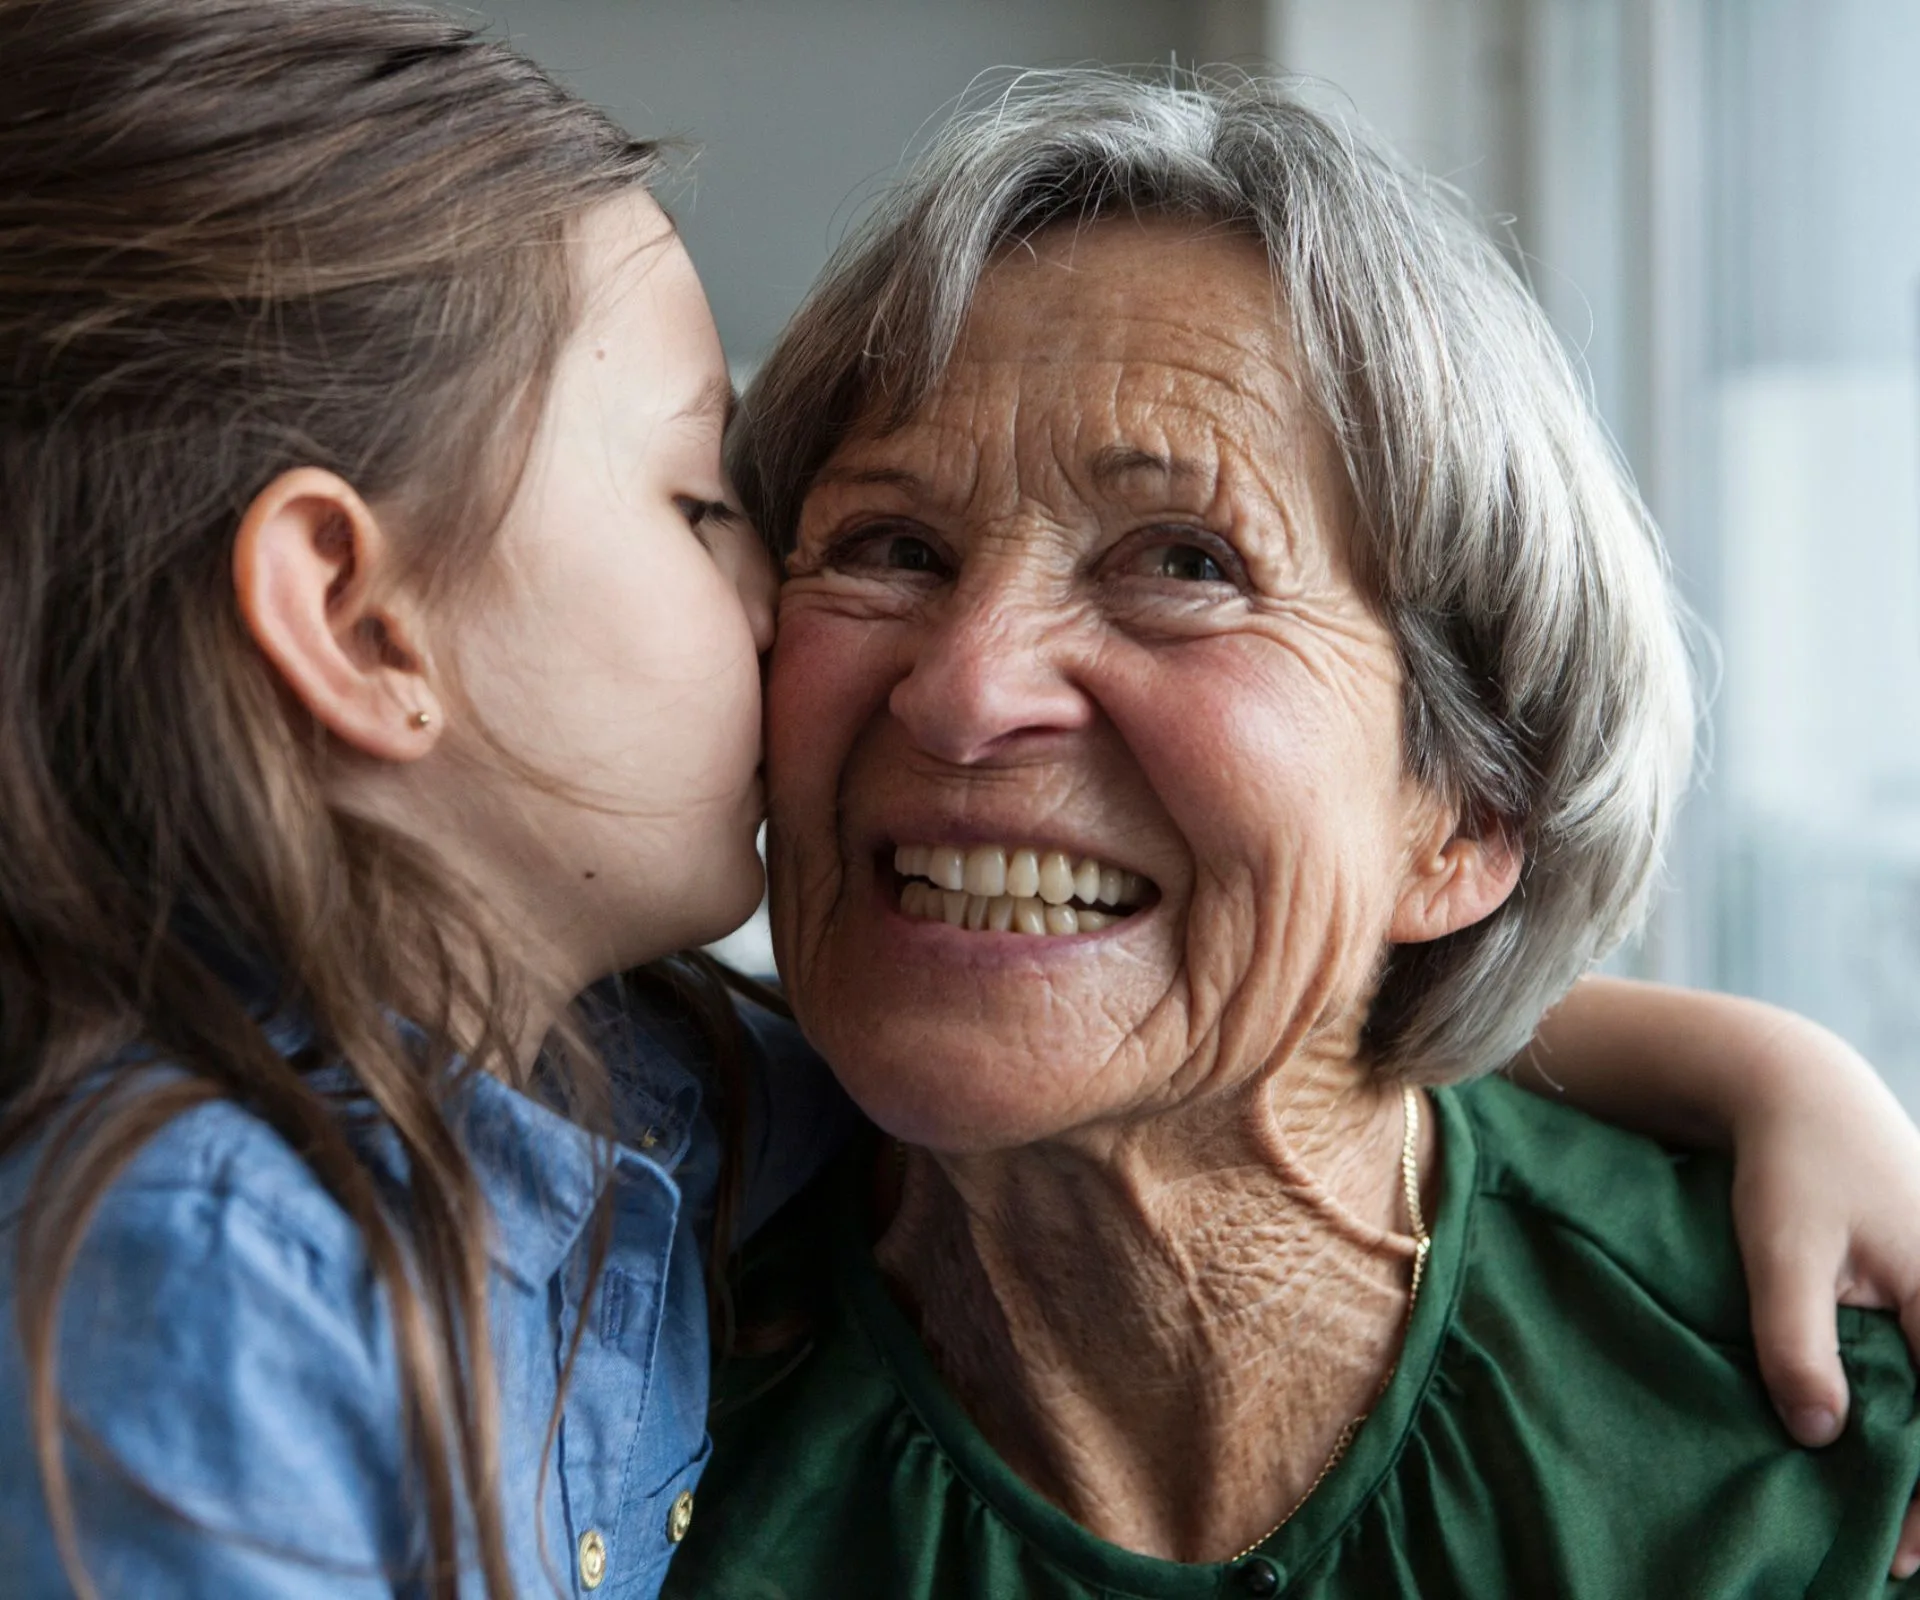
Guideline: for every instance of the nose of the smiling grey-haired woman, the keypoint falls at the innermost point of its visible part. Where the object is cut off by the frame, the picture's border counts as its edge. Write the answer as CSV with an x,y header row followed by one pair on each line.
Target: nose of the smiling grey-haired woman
x,y
984,675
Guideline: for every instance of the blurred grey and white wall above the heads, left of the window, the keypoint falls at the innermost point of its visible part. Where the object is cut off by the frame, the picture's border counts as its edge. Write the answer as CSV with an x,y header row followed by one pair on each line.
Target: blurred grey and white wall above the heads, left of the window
x,y
798,110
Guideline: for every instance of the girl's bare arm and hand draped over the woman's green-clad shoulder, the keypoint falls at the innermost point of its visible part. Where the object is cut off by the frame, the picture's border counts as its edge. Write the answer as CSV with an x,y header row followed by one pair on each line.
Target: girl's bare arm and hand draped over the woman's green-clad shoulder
x,y
1827,1165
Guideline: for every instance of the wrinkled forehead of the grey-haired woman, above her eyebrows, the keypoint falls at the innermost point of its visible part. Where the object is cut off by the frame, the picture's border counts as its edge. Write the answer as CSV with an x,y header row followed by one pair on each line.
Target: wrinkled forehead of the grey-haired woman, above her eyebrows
x,y
1074,393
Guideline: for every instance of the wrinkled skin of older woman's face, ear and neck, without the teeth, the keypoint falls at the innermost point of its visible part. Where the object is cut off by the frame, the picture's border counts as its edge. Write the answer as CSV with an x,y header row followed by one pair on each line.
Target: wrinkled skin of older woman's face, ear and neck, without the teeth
x,y
1097,596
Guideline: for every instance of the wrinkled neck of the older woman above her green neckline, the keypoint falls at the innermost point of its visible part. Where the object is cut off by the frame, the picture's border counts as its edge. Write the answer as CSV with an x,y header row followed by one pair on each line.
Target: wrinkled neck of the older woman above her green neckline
x,y
1166,1328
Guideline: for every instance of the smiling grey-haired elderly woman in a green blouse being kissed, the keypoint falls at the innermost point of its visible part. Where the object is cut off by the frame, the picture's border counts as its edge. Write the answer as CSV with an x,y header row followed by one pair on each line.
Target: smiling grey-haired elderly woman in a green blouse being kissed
x,y
1226,692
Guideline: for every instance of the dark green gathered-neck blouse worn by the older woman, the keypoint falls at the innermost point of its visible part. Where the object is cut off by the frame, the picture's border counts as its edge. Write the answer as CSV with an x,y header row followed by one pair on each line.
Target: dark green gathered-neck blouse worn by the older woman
x,y
1577,1413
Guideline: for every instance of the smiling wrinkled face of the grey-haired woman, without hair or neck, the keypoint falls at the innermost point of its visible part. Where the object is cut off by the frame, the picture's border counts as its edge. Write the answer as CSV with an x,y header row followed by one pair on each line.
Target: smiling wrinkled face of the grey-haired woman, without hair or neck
x,y
1093,602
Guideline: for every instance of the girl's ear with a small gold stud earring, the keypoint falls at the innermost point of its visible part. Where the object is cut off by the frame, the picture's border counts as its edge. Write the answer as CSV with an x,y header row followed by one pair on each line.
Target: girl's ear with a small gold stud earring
x,y
314,579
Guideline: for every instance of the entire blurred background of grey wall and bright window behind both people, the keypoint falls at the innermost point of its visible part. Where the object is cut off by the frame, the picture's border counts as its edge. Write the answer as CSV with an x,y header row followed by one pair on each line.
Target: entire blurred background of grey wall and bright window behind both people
x,y
1719,205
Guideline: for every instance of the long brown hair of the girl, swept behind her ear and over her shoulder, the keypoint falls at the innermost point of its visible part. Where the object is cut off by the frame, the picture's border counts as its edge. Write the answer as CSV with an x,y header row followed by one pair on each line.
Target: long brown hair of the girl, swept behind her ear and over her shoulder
x,y
241,237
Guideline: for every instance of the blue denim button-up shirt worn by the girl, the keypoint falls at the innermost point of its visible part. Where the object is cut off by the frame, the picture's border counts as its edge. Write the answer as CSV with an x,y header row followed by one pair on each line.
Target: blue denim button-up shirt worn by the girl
x,y
224,1340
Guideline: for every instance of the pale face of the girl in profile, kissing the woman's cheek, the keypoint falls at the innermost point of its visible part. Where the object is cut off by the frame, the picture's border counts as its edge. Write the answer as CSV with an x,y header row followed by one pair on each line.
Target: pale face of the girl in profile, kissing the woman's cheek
x,y
619,648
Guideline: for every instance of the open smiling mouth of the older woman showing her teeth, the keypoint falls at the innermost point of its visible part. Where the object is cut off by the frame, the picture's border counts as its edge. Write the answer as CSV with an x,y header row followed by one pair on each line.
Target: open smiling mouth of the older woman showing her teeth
x,y
1015,890
